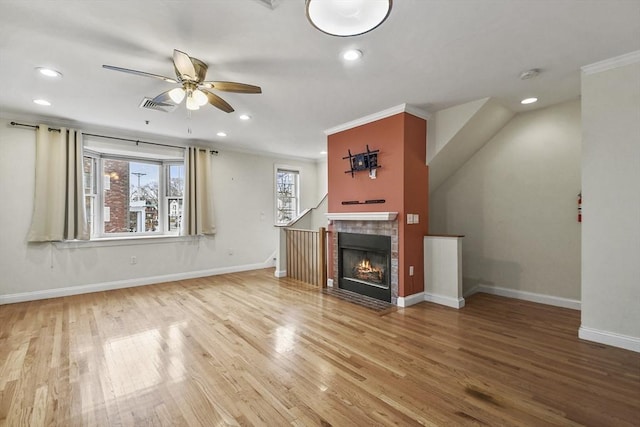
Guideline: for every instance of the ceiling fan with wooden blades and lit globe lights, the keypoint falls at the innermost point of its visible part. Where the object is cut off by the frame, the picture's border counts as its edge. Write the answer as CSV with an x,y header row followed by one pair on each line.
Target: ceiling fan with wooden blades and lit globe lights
x,y
190,75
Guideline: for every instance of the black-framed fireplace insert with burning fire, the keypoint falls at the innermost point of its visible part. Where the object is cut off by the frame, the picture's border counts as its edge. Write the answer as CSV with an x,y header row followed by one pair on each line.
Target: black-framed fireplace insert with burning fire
x,y
364,264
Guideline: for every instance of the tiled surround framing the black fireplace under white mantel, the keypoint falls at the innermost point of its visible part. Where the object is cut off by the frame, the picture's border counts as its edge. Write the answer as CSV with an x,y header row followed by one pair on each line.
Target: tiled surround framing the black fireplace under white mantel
x,y
382,228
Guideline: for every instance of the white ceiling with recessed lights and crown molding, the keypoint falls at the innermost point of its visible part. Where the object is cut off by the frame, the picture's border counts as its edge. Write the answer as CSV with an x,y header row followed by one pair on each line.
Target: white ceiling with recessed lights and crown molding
x,y
430,54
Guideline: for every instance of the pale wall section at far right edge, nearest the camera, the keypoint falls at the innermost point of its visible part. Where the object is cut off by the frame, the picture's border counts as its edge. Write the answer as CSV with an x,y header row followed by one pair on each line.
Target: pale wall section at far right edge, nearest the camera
x,y
611,197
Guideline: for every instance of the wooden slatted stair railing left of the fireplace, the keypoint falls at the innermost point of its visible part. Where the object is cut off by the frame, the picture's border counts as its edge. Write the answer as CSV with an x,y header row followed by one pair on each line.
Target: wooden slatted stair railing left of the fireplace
x,y
307,255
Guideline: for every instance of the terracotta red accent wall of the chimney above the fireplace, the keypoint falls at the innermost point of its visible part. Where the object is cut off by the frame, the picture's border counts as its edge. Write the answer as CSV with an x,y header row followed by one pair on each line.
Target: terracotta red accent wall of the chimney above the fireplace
x,y
402,181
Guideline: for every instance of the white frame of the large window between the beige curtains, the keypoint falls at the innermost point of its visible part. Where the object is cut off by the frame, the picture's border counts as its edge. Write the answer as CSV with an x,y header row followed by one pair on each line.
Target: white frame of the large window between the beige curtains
x,y
97,231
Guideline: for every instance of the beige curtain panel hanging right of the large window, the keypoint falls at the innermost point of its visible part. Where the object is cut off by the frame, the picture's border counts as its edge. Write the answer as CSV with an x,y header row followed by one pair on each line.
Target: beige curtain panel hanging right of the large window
x,y
197,217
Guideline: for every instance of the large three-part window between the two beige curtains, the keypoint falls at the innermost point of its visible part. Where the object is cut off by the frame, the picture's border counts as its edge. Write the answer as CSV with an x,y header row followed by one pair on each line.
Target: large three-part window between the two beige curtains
x,y
126,194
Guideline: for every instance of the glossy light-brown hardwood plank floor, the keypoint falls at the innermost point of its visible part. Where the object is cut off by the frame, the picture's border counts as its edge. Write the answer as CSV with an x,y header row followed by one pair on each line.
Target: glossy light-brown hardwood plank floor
x,y
249,349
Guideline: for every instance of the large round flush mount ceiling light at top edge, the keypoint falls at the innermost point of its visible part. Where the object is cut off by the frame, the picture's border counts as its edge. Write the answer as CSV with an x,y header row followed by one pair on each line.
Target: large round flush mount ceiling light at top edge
x,y
344,18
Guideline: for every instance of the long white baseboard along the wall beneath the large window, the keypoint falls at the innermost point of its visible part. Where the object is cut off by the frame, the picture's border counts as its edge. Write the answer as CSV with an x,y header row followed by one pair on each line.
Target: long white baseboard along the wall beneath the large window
x,y
120,284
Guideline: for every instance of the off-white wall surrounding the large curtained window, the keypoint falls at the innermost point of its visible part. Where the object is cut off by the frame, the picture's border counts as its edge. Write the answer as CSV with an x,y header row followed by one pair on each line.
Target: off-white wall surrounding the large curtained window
x,y
244,207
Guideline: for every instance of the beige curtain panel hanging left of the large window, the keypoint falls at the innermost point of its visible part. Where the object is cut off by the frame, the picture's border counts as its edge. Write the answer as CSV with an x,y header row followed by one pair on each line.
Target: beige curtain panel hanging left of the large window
x,y
59,211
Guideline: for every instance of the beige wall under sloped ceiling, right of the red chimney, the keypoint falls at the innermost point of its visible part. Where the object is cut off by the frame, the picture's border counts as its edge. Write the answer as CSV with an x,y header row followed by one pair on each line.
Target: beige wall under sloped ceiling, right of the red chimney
x,y
515,201
